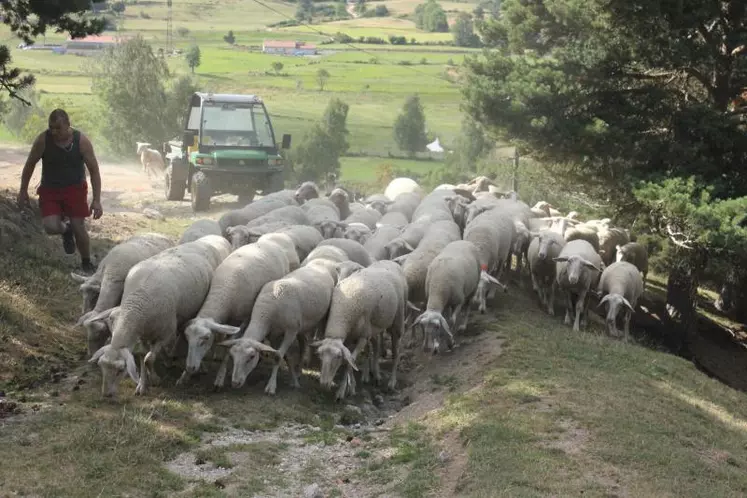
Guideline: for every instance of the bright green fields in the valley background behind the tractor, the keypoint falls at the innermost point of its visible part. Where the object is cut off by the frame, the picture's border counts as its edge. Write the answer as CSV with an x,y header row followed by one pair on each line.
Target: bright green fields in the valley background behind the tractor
x,y
374,80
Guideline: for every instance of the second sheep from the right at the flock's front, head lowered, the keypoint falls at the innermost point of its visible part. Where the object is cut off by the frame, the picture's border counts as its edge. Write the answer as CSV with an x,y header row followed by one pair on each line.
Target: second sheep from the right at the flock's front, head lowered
x,y
577,271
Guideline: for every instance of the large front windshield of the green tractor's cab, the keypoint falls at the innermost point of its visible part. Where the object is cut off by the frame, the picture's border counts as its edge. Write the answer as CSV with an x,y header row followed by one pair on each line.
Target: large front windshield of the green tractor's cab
x,y
242,125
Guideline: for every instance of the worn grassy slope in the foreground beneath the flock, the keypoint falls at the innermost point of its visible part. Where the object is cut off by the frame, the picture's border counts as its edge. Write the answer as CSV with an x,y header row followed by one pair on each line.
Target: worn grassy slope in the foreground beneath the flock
x,y
522,407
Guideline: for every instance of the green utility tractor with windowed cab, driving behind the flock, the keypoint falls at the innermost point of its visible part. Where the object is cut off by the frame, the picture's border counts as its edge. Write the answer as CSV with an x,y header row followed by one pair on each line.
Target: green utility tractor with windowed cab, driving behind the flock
x,y
228,147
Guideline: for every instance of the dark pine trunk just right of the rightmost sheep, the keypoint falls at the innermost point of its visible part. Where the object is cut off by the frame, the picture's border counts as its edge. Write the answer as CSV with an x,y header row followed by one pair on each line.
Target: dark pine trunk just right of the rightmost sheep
x,y
682,294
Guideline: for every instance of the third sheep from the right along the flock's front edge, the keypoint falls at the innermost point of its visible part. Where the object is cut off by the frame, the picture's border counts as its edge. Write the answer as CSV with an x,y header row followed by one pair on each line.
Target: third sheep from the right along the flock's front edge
x,y
544,247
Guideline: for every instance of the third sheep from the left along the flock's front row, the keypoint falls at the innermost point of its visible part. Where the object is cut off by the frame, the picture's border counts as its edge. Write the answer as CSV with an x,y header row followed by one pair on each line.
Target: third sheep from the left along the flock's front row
x,y
235,285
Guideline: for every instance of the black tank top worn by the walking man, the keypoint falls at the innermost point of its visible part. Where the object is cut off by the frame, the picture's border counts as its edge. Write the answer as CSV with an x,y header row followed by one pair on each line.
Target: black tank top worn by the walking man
x,y
62,167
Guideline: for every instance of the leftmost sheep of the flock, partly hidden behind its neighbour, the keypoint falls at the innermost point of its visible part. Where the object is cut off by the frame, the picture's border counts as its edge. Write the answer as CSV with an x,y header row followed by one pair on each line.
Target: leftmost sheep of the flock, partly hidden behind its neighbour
x,y
103,290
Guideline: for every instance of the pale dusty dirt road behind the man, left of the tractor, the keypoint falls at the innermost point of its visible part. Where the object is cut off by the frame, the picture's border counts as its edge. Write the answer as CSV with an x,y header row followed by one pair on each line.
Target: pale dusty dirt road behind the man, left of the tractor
x,y
125,187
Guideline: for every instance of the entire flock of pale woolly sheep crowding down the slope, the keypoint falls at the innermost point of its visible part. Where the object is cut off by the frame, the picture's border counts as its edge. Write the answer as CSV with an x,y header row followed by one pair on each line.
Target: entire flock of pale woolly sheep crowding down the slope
x,y
295,270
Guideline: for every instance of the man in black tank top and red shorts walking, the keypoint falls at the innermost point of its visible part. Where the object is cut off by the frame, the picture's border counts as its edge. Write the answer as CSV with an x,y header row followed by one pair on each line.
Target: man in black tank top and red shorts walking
x,y
63,193
